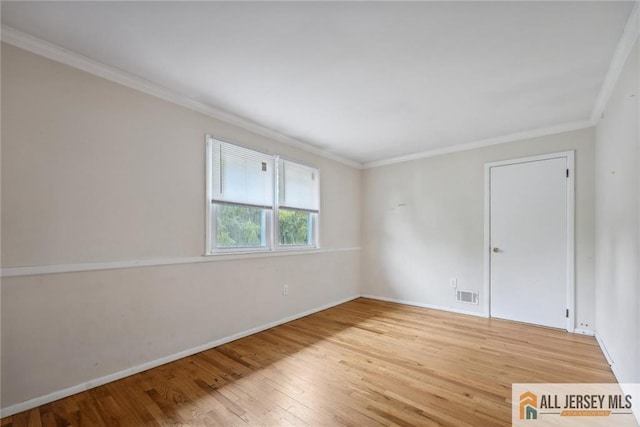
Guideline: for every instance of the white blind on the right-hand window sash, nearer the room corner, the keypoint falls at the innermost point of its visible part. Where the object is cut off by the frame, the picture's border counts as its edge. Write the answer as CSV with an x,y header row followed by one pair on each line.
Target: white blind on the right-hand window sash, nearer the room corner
x,y
298,187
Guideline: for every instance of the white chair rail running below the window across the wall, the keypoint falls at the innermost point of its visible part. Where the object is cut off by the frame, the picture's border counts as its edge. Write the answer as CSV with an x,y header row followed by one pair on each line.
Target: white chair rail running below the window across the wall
x,y
116,265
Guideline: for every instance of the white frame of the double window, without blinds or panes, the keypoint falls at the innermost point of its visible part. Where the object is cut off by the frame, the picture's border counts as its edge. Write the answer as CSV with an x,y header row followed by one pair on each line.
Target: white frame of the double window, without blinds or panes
x,y
272,212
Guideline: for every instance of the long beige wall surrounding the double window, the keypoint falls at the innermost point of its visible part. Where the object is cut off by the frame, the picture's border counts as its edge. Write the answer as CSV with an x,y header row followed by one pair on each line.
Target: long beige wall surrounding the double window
x,y
94,172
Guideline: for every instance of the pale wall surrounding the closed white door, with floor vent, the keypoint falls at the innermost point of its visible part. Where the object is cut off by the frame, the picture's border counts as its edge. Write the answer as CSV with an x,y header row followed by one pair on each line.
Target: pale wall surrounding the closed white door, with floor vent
x,y
423,224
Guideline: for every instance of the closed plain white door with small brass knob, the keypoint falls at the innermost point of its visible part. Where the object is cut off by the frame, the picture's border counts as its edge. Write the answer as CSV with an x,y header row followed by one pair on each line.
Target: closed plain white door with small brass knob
x,y
528,239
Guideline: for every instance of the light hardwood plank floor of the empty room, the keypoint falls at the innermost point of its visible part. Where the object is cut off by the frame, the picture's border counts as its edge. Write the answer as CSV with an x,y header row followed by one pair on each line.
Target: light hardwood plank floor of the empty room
x,y
362,363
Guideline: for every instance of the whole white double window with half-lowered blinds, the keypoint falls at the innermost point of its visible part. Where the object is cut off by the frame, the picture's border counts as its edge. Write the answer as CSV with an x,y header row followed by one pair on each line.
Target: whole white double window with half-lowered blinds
x,y
259,202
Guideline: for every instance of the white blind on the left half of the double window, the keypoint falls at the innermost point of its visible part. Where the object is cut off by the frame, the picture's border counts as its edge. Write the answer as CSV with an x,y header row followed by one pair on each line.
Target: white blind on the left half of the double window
x,y
240,175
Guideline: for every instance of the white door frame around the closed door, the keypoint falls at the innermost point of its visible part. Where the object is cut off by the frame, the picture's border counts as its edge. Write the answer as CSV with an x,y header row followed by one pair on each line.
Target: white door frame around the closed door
x,y
570,157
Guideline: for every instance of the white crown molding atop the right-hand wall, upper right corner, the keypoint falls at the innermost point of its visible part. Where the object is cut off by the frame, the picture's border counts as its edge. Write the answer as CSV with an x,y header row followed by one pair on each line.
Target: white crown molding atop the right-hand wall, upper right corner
x,y
629,36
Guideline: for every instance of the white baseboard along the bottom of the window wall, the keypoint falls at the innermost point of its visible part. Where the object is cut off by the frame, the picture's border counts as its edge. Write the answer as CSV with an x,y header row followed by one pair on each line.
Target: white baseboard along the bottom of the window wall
x,y
42,400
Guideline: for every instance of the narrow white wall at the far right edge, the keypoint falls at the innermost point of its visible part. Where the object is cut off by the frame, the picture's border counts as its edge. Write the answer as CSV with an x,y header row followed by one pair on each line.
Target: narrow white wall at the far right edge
x,y
618,223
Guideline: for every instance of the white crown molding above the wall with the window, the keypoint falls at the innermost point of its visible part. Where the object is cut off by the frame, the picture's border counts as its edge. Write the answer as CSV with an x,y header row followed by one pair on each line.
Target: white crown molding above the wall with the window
x,y
59,54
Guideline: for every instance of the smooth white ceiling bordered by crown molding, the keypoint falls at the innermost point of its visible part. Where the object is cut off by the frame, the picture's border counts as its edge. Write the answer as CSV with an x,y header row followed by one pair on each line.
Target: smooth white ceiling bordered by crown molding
x,y
367,81
